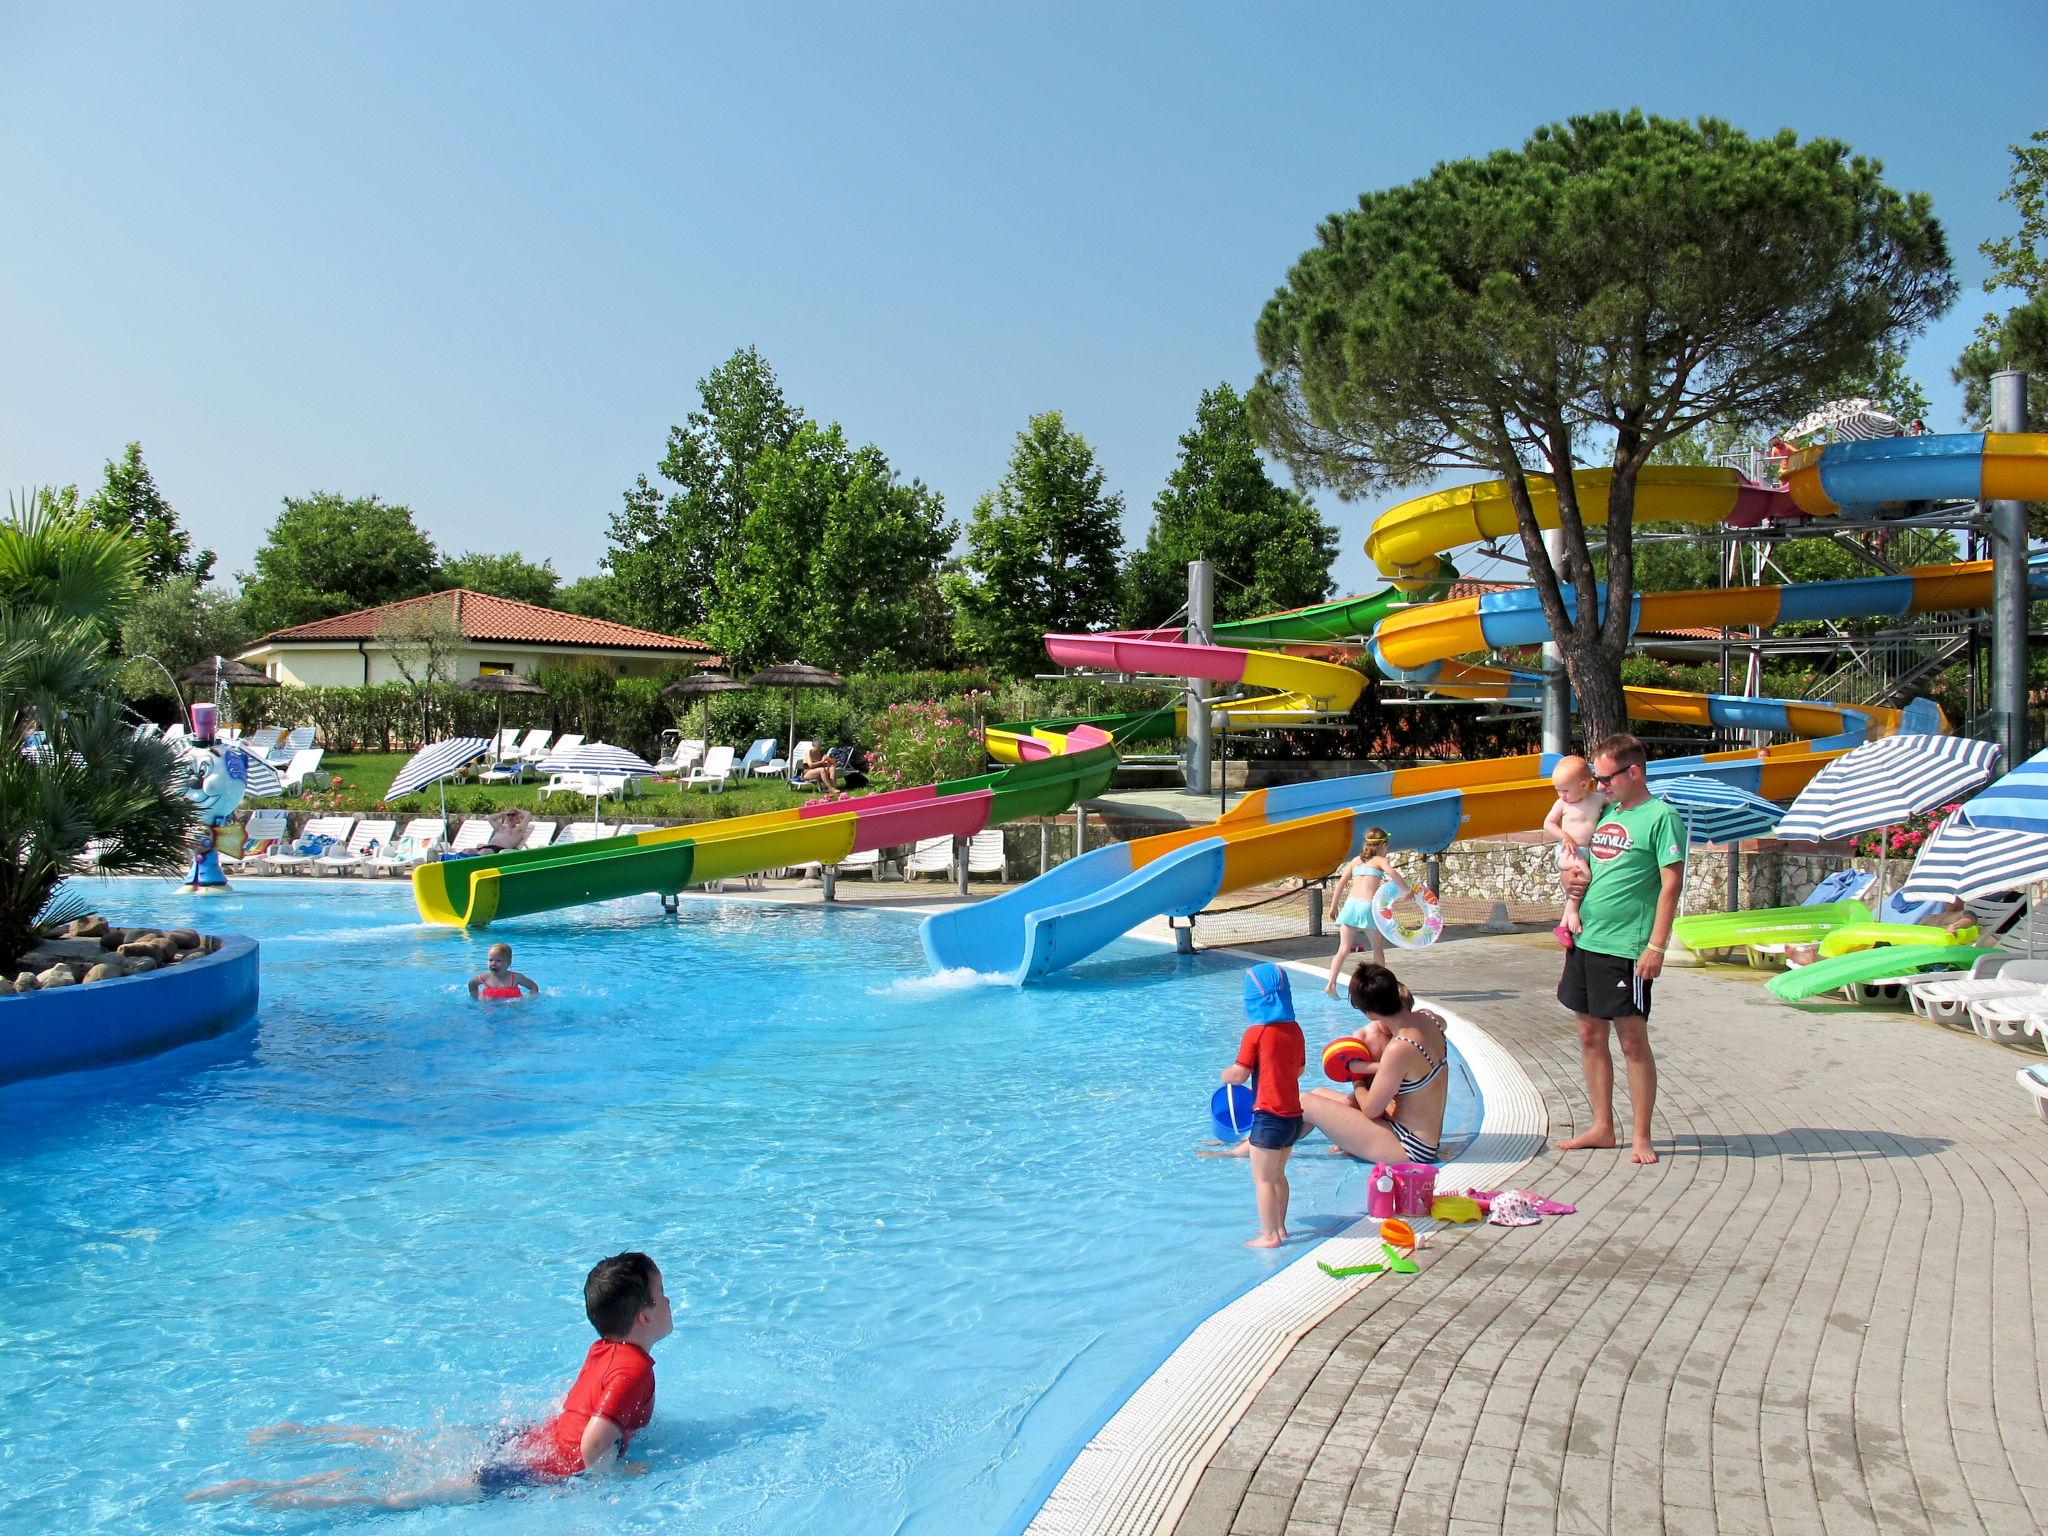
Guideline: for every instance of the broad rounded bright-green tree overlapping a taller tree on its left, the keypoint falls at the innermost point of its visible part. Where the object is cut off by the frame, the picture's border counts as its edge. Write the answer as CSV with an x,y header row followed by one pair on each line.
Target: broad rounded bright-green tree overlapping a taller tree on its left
x,y
835,562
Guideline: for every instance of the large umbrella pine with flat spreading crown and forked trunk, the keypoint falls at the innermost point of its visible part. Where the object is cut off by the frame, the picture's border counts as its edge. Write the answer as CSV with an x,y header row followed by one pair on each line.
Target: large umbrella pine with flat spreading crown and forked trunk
x,y
1586,300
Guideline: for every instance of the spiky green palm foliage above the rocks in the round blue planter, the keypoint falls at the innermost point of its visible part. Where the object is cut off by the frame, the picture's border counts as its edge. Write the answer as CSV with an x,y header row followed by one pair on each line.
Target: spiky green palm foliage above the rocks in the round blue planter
x,y
65,589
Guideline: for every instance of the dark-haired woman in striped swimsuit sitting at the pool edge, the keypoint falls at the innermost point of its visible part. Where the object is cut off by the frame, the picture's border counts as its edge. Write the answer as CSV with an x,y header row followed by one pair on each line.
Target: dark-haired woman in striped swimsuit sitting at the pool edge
x,y
1398,1113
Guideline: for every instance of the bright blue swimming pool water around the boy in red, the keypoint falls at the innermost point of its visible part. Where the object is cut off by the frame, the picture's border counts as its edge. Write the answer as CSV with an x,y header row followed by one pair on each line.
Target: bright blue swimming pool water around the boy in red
x,y
923,1234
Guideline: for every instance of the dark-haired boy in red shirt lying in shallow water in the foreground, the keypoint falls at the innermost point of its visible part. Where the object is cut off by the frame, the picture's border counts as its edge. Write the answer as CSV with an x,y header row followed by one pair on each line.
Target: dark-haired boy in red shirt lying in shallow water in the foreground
x,y
609,1404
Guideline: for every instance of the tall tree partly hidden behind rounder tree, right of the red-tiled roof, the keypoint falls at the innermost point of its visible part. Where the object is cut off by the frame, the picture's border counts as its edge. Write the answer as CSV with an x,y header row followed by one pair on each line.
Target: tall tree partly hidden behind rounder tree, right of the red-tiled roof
x,y
673,548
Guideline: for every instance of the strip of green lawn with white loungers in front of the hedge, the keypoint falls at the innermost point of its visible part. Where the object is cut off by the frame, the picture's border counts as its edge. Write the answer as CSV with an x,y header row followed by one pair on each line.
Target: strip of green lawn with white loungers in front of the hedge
x,y
361,779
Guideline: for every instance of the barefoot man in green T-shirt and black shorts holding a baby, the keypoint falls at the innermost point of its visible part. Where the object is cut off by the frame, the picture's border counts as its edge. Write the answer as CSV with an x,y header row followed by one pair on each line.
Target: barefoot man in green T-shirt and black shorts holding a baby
x,y
1629,900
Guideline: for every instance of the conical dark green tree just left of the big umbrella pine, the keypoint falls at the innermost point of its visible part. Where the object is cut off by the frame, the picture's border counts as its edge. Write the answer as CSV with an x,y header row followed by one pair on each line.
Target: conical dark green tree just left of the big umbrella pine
x,y
1269,544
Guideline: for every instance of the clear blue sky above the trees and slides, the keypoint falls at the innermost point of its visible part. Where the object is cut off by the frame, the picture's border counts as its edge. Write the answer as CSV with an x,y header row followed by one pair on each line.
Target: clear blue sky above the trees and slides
x,y
474,257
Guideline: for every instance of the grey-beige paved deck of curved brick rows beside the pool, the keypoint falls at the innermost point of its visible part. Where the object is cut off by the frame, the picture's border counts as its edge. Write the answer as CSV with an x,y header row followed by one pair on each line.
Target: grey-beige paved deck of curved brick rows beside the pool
x,y
1818,1314
